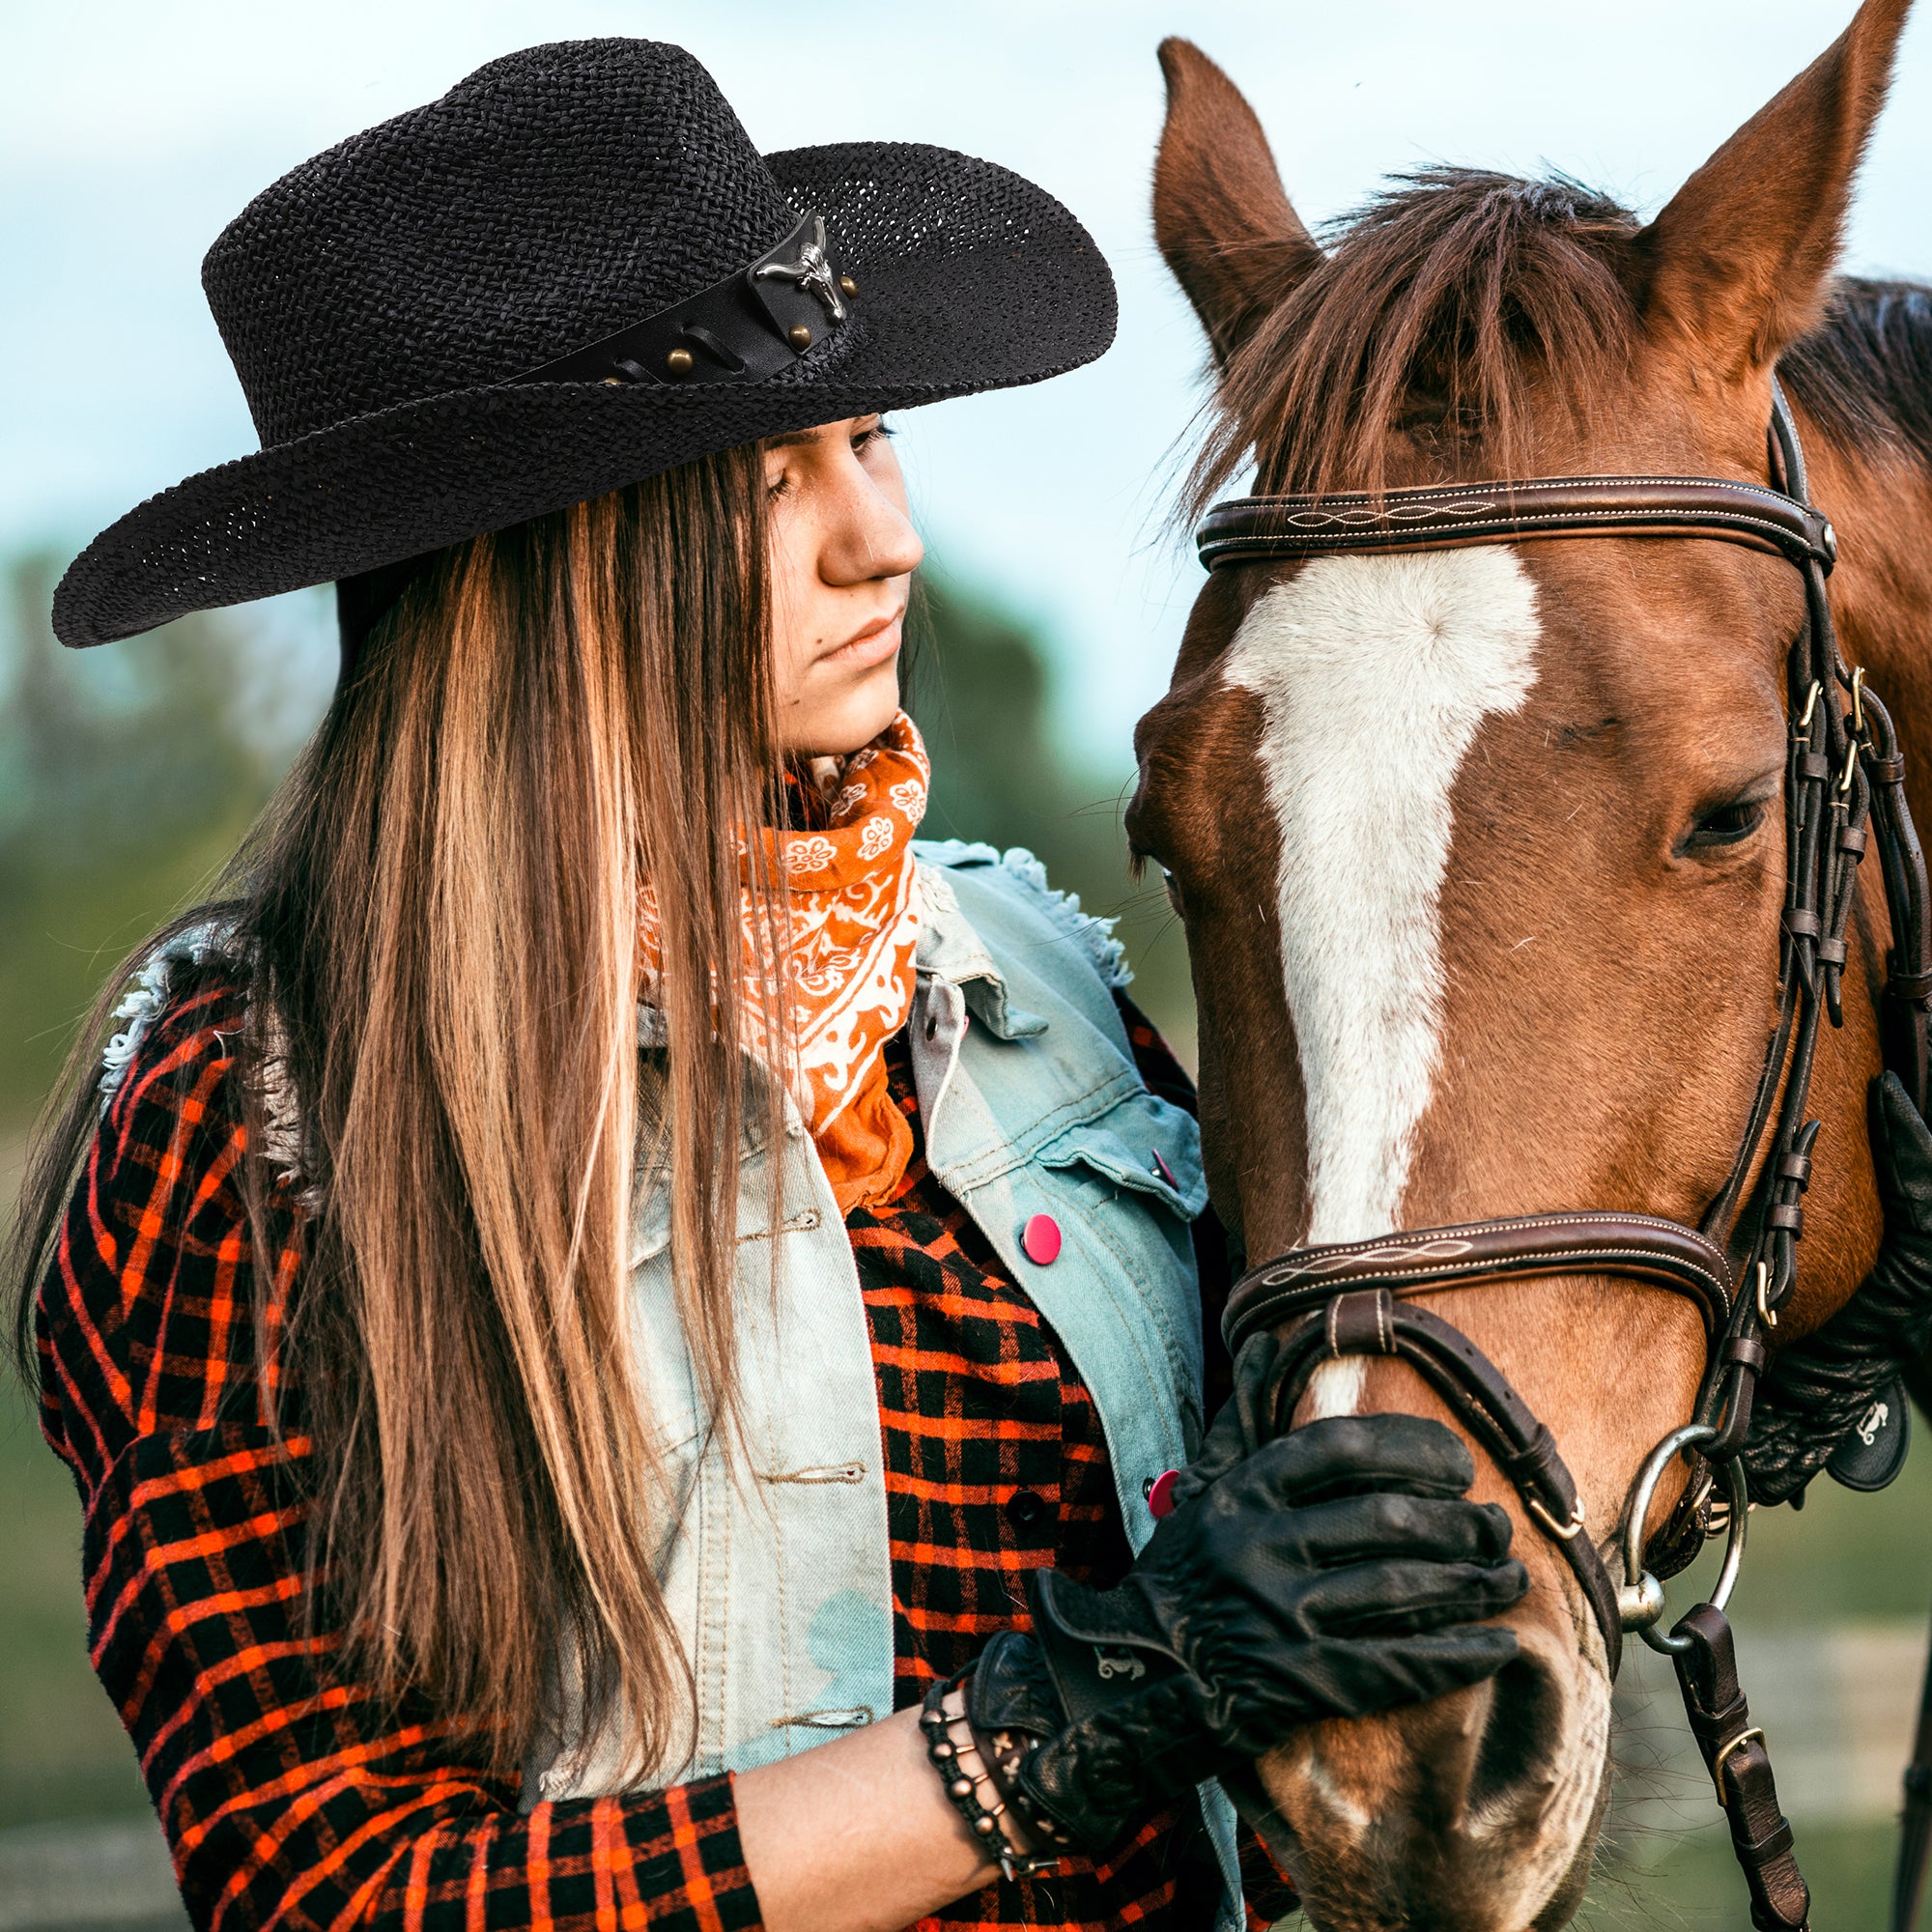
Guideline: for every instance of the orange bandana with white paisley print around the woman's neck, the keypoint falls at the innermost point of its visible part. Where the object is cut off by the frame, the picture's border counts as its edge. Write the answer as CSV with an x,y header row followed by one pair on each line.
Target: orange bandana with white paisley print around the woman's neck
x,y
855,924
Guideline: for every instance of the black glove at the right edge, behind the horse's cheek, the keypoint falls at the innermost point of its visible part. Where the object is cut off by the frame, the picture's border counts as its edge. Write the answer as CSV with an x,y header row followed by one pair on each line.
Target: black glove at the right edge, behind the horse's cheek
x,y
1819,1390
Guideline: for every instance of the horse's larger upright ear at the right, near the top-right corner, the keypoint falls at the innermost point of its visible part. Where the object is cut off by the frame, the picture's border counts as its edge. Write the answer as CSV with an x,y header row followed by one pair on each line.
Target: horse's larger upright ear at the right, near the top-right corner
x,y
1740,264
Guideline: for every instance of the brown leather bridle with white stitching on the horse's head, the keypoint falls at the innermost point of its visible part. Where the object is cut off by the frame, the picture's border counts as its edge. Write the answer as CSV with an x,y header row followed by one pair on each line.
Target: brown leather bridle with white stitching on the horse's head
x,y
1844,789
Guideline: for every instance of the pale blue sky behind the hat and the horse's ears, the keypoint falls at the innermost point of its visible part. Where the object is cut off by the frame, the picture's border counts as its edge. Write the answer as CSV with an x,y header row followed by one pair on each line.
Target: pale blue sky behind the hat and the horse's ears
x,y
132,132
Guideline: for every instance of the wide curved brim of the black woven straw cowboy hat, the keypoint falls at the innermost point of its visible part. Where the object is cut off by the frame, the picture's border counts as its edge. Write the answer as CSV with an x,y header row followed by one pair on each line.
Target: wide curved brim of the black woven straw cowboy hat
x,y
420,476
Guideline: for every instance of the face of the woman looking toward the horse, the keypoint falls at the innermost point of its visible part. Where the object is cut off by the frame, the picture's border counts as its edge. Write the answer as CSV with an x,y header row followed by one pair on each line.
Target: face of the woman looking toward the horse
x,y
843,552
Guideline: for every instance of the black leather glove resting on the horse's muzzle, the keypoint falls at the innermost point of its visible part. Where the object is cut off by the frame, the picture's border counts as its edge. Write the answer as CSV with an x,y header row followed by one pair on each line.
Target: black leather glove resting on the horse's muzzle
x,y
1332,1574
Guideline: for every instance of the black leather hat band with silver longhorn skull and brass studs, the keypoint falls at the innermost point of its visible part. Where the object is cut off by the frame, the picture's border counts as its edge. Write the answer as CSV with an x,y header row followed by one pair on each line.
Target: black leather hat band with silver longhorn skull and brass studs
x,y
749,327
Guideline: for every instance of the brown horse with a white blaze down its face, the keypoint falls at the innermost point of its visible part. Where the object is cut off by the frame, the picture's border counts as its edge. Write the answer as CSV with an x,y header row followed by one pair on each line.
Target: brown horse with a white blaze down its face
x,y
1481,851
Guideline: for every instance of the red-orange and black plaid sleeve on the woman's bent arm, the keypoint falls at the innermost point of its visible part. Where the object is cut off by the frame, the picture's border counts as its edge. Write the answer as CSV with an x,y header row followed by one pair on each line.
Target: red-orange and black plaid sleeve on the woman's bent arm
x,y
291,1796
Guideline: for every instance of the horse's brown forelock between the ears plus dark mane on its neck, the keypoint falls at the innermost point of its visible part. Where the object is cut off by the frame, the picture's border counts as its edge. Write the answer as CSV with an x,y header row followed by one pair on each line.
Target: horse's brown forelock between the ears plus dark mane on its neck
x,y
1456,297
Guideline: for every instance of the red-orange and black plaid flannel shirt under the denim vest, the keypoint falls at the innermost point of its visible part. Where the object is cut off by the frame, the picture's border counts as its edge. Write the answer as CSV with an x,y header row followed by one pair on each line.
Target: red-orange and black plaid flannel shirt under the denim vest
x,y
297,1800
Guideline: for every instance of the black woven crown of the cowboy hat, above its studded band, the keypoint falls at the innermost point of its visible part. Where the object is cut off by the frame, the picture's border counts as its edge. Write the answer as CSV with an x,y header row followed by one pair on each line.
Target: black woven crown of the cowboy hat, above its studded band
x,y
546,202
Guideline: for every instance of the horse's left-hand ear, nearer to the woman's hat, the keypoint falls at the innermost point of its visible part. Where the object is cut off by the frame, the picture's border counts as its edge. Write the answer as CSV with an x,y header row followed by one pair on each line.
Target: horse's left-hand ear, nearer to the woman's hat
x,y
1220,212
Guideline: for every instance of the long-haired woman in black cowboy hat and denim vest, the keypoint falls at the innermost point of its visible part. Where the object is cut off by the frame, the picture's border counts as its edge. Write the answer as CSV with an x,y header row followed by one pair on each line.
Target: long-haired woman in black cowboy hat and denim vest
x,y
598,1274
